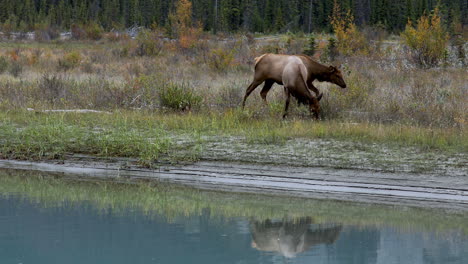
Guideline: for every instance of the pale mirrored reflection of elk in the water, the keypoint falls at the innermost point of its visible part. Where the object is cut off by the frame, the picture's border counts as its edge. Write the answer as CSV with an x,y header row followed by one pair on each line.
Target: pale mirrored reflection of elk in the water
x,y
290,237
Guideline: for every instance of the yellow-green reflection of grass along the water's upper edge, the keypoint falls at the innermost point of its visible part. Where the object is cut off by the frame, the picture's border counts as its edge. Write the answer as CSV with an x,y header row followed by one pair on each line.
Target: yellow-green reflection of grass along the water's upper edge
x,y
172,201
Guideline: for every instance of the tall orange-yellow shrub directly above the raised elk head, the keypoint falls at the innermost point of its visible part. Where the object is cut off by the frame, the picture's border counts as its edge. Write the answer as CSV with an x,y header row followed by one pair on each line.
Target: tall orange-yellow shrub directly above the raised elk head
x,y
350,41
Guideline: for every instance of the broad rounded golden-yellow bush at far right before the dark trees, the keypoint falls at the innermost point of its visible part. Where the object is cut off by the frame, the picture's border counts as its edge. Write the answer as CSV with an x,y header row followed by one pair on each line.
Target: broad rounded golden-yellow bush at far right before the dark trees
x,y
427,41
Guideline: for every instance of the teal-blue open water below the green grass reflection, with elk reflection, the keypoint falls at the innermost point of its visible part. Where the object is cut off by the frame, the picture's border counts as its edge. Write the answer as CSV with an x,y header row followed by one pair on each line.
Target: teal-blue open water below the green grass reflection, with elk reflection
x,y
32,233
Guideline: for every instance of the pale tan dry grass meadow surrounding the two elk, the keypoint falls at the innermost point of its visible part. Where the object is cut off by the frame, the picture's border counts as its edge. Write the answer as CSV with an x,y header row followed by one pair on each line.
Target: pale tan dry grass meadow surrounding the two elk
x,y
383,86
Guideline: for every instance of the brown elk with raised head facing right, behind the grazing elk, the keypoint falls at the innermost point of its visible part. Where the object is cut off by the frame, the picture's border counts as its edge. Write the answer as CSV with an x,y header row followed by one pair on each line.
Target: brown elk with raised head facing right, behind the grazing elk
x,y
269,69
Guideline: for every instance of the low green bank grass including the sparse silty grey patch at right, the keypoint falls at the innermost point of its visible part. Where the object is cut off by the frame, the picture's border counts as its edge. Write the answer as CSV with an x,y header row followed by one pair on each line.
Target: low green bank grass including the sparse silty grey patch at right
x,y
152,137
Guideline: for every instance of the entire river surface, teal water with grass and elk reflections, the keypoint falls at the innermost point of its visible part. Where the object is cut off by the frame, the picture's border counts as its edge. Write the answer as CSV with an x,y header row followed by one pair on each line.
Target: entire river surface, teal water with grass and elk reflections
x,y
46,220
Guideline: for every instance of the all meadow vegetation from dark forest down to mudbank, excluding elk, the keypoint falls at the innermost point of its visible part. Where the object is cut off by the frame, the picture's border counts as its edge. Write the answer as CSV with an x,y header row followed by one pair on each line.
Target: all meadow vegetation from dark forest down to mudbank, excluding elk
x,y
165,96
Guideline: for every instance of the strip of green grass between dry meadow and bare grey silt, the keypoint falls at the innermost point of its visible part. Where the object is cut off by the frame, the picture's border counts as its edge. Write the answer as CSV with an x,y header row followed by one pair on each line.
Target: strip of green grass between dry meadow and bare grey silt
x,y
148,135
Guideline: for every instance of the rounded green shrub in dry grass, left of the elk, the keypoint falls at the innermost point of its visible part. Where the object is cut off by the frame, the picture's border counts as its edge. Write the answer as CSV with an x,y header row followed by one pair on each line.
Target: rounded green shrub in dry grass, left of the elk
x,y
179,97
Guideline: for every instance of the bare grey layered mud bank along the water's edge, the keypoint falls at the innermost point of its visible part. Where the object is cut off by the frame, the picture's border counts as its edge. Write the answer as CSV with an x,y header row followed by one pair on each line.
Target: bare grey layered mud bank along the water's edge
x,y
410,189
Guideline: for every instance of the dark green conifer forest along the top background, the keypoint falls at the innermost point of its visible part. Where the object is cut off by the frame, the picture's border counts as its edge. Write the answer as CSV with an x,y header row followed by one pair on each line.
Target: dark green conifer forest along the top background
x,y
268,16
